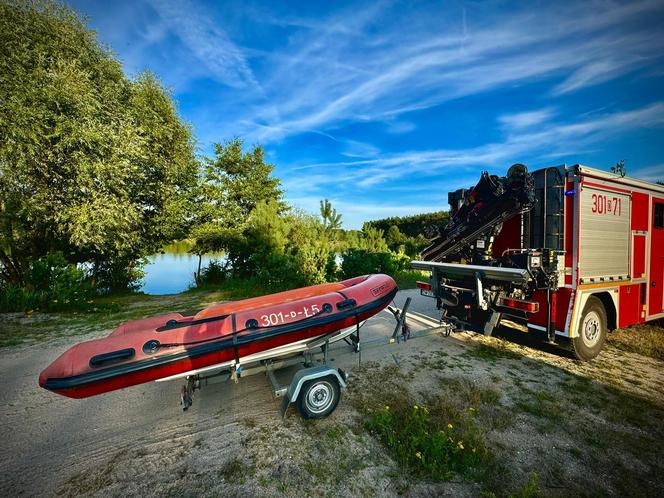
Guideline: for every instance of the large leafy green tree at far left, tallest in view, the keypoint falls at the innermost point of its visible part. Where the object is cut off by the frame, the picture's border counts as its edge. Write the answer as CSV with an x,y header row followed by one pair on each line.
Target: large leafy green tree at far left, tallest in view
x,y
91,163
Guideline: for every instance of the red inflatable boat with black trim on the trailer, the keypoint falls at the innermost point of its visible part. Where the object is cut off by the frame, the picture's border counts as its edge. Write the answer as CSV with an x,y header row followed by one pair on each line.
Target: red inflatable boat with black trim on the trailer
x,y
163,346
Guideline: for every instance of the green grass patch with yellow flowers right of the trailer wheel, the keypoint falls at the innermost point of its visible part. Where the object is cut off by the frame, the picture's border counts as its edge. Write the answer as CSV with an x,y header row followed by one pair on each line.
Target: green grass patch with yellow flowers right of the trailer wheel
x,y
436,435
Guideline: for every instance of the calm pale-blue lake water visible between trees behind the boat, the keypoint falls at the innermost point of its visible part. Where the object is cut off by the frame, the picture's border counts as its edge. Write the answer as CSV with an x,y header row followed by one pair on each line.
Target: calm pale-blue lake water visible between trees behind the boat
x,y
172,271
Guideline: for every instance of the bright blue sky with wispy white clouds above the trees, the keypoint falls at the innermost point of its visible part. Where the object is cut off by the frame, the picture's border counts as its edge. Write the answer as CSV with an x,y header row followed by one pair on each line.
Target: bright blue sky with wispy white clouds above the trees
x,y
383,107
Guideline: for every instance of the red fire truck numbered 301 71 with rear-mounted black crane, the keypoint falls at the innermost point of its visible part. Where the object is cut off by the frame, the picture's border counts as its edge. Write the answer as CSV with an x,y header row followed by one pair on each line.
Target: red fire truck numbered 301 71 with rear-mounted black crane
x,y
568,250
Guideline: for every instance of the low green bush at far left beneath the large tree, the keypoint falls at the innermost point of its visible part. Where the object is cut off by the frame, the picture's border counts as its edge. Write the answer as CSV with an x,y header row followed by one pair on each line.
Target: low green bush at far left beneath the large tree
x,y
51,284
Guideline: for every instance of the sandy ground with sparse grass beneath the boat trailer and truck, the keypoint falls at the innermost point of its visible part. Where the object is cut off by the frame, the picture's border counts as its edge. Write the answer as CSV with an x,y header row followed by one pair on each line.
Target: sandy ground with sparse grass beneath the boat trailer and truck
x,y
234,441
